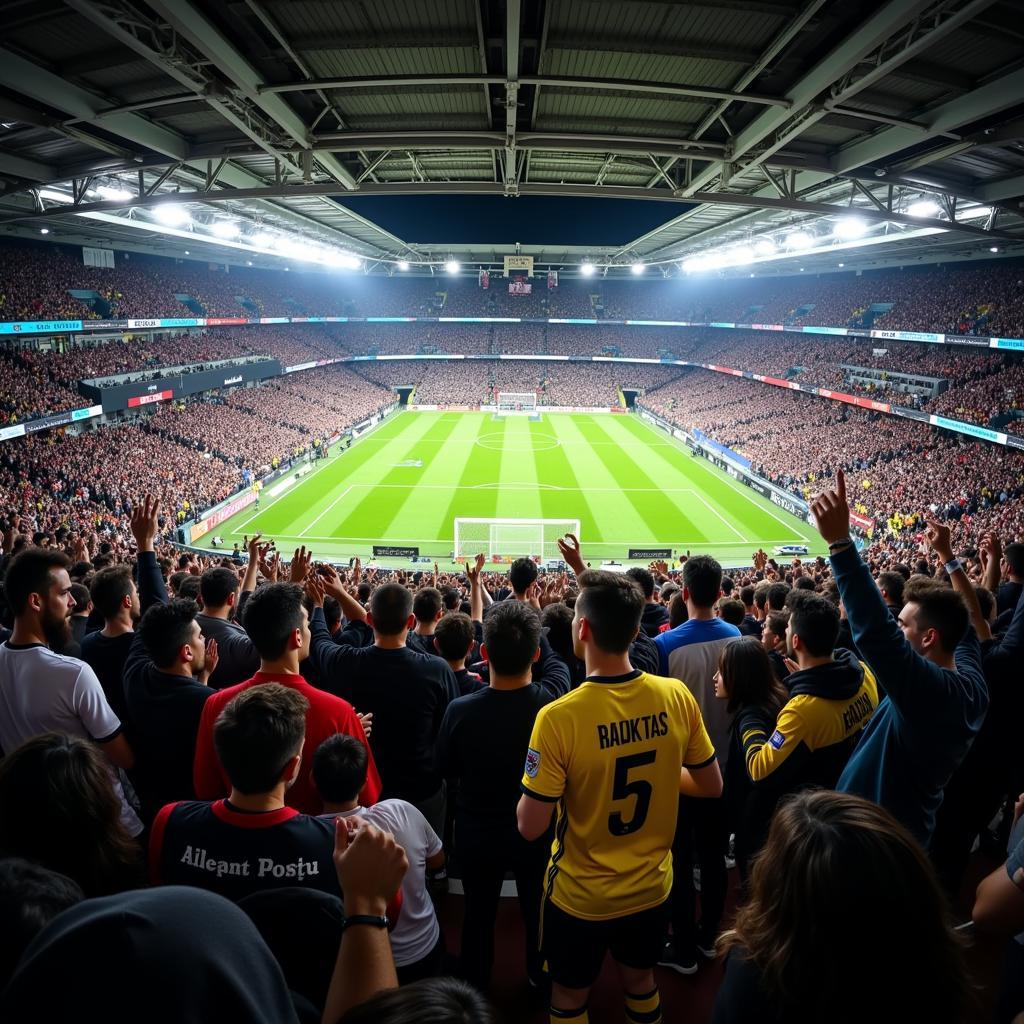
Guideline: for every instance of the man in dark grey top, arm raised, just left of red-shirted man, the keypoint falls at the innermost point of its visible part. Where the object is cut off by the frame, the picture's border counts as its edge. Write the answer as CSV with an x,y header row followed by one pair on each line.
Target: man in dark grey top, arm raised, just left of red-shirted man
x,y
220,588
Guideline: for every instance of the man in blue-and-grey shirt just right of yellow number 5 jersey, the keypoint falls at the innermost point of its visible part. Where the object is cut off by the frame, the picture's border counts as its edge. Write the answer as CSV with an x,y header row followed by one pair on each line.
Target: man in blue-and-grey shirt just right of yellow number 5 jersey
x,y
691,654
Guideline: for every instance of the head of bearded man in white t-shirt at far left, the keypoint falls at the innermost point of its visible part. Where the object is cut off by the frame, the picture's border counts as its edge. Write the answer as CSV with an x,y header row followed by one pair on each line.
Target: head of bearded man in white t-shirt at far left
x,y
38,590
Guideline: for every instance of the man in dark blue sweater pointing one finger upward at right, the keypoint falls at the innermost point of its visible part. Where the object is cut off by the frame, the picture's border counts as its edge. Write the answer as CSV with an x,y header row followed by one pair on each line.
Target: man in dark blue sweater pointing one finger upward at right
x,y
929,665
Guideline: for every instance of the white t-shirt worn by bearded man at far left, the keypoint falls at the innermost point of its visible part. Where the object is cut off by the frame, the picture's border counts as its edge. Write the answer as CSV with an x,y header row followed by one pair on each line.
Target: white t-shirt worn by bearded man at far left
x,y
42,692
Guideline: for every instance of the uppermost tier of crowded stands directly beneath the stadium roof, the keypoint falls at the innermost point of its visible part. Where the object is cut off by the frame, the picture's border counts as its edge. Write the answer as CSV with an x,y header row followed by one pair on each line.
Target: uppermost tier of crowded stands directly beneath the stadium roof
x,y
955,298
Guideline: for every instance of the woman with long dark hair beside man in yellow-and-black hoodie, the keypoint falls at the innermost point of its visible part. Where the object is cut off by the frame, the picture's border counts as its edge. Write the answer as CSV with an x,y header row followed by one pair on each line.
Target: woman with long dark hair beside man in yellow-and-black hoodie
x,y
746,680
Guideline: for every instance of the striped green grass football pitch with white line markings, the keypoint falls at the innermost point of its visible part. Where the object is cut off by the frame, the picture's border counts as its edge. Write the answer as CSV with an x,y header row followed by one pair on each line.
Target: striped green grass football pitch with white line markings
x,y
629,486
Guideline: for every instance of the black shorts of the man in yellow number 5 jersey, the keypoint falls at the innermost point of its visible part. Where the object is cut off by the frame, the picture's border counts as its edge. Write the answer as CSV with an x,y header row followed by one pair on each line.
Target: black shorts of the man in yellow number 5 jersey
x,y
575,948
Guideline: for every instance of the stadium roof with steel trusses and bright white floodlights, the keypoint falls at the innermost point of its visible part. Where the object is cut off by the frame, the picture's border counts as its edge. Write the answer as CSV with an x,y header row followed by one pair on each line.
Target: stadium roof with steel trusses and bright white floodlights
x,y
741,118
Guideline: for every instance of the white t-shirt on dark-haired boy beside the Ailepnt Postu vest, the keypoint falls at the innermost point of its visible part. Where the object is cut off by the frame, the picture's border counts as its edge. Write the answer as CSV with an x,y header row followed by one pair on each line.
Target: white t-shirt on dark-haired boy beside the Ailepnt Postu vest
x,y
417,931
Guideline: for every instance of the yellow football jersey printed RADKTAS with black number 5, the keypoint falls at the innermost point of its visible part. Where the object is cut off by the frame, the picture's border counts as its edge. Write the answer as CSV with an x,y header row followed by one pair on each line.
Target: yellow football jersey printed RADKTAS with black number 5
x,y
610,754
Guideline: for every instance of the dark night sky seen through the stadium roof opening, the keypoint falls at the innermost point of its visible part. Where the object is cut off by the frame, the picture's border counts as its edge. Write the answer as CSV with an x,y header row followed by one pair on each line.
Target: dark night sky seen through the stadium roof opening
x,y
498,221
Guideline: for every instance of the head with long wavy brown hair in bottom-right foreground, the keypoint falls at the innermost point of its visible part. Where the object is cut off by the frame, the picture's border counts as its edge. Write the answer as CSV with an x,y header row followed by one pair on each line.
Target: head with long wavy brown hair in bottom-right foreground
x,y
834,867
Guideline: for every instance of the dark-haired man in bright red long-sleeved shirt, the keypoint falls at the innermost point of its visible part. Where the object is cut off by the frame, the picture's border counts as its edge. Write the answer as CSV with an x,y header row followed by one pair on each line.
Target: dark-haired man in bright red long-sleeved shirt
x,y
277,620
